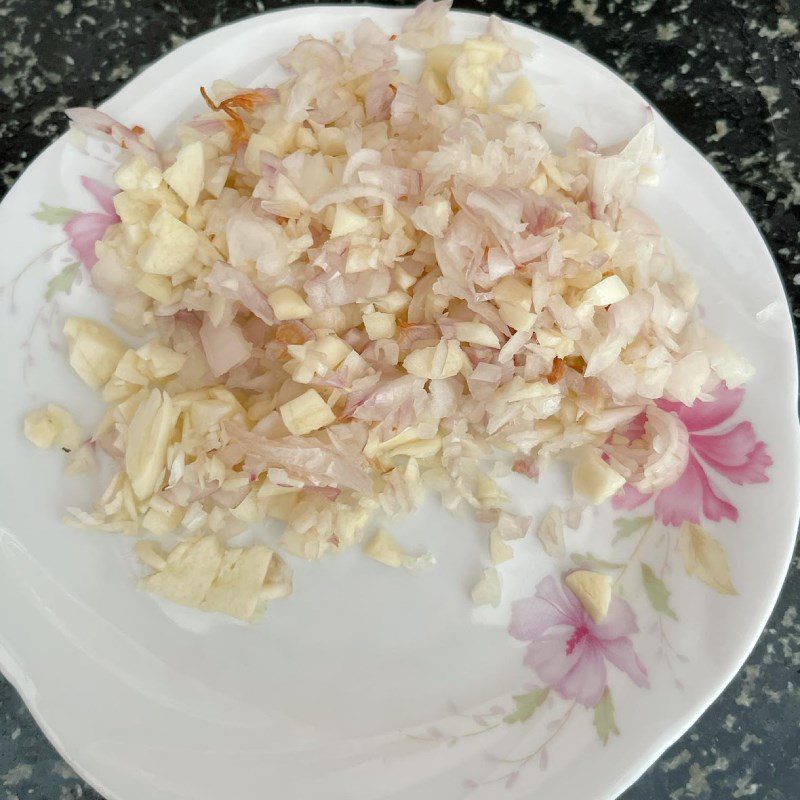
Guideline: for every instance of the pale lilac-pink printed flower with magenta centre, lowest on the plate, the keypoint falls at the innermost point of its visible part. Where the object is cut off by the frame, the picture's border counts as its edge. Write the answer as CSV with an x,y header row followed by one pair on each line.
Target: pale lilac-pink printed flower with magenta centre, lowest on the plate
x,y
568,650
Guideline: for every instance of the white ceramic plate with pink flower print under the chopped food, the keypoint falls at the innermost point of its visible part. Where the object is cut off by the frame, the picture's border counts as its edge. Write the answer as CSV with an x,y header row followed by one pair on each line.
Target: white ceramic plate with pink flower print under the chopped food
x,y
368,683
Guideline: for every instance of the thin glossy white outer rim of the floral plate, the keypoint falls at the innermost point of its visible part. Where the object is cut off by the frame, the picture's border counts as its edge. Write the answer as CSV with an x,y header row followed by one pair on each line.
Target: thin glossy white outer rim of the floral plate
x,y
678,727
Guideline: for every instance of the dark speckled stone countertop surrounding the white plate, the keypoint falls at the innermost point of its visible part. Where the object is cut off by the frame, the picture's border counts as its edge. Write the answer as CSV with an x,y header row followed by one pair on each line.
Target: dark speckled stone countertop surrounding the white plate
x,y
725,72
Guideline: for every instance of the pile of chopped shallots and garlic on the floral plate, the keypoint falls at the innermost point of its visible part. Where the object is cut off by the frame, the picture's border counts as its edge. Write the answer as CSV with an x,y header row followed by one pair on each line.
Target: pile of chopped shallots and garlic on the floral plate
x,y
358,288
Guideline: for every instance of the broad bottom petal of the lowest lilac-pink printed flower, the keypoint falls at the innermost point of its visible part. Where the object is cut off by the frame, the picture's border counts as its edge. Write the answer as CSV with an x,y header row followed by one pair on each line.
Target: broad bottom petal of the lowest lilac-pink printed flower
x,y
579,674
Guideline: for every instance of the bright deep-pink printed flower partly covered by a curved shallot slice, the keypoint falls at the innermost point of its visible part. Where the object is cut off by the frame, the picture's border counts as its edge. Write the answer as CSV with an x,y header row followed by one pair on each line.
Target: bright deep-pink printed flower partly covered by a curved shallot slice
x,y
734,453
